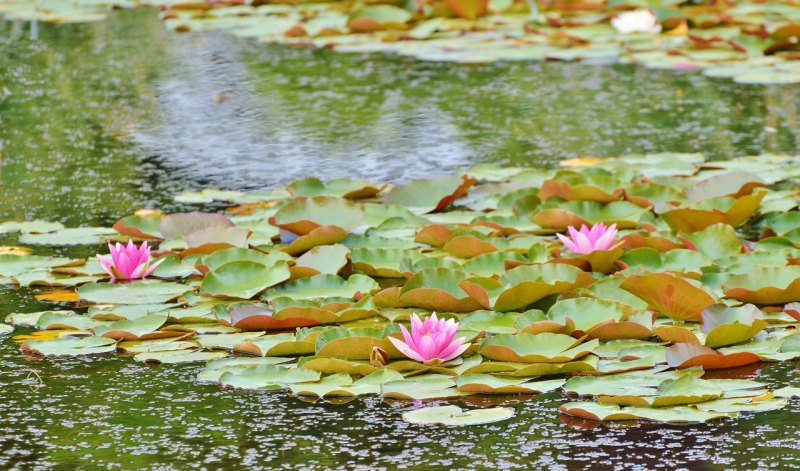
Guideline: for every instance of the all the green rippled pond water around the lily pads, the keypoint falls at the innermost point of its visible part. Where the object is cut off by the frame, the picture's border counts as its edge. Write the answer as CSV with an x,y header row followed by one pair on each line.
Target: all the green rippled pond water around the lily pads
x,y
99,120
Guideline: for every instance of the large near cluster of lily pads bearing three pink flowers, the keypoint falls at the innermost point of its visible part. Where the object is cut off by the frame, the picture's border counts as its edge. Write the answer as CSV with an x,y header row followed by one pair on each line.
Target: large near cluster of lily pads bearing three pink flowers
x,y
689,266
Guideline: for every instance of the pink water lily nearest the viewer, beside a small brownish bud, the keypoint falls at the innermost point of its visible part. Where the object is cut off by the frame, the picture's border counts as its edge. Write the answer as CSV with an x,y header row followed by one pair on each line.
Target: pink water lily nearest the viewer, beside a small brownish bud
x,y
430,341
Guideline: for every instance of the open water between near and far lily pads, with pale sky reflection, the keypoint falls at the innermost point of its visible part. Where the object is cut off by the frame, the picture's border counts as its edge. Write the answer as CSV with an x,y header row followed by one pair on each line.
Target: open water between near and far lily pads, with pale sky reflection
x,y
135,113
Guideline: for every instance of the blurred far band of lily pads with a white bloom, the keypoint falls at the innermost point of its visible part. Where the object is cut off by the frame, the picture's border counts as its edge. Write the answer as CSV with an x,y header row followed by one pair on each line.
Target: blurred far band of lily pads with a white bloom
x,y
749,41
